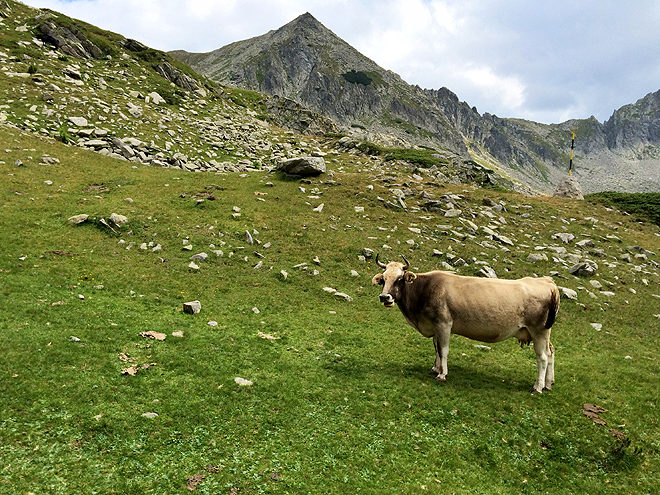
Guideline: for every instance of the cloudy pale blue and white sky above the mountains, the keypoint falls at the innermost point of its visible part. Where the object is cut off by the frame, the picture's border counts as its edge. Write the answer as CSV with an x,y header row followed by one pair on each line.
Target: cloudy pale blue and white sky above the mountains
x,y
543,60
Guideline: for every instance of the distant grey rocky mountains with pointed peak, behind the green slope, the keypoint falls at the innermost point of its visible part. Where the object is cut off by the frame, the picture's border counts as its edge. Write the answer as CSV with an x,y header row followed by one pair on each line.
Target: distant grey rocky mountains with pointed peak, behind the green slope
x,y
307,63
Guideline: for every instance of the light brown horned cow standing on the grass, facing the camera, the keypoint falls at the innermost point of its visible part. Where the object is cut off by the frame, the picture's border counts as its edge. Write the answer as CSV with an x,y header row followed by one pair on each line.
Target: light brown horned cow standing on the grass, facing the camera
x,y
439,303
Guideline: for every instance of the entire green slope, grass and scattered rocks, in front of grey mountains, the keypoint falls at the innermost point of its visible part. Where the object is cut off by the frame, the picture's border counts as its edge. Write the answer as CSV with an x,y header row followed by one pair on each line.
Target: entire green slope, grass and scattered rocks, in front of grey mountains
x,y
132,186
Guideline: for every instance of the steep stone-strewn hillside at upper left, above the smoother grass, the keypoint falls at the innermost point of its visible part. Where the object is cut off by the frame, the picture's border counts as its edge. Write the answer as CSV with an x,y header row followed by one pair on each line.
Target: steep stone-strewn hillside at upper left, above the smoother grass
x,y
67,80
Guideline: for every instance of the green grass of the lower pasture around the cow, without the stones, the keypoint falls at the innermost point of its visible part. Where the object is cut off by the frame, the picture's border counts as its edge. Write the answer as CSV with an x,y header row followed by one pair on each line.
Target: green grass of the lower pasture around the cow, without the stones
x,y
341,402
